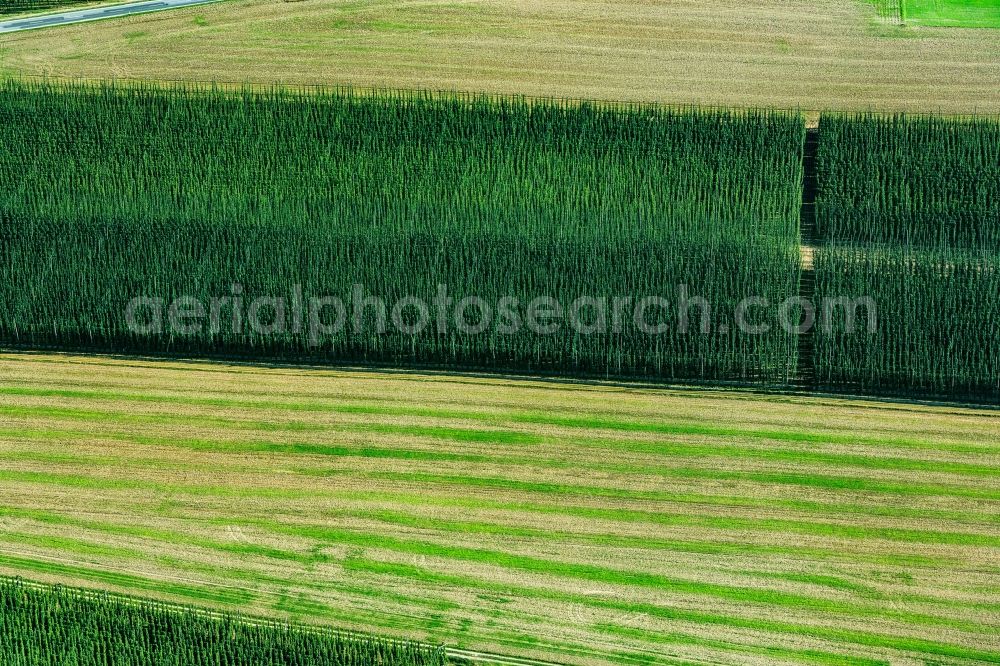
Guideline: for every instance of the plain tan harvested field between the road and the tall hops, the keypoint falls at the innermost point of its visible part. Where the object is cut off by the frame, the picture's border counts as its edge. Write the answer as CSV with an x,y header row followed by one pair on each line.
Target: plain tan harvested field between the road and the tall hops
x,y
808,54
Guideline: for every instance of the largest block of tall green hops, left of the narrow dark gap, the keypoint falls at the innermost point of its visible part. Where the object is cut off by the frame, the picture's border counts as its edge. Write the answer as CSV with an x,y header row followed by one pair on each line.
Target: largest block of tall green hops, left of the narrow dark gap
x,y
108,194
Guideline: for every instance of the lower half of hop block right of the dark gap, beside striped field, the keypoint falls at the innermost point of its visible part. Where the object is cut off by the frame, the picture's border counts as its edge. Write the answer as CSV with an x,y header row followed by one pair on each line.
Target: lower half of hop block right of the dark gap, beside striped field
x,y
938,323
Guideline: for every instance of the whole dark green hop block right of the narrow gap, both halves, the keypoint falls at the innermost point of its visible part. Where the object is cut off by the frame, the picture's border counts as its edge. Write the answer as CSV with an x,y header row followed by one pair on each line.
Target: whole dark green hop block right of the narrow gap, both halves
x,y
909,211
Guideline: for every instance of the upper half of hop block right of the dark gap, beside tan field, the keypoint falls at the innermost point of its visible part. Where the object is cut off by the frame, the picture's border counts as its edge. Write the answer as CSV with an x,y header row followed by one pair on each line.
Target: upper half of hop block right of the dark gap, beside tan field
x,y
914,181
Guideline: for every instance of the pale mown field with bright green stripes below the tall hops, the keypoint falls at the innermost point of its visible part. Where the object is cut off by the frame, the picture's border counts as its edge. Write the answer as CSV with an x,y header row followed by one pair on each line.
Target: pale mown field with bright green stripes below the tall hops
x,y
543,519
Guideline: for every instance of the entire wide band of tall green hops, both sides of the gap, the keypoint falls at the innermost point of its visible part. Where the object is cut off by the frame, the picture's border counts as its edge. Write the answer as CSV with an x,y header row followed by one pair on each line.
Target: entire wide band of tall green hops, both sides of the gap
x,y
158,193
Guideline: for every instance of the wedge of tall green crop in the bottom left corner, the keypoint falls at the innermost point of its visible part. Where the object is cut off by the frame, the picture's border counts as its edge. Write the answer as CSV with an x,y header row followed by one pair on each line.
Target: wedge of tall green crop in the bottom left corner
x,y
45,626
